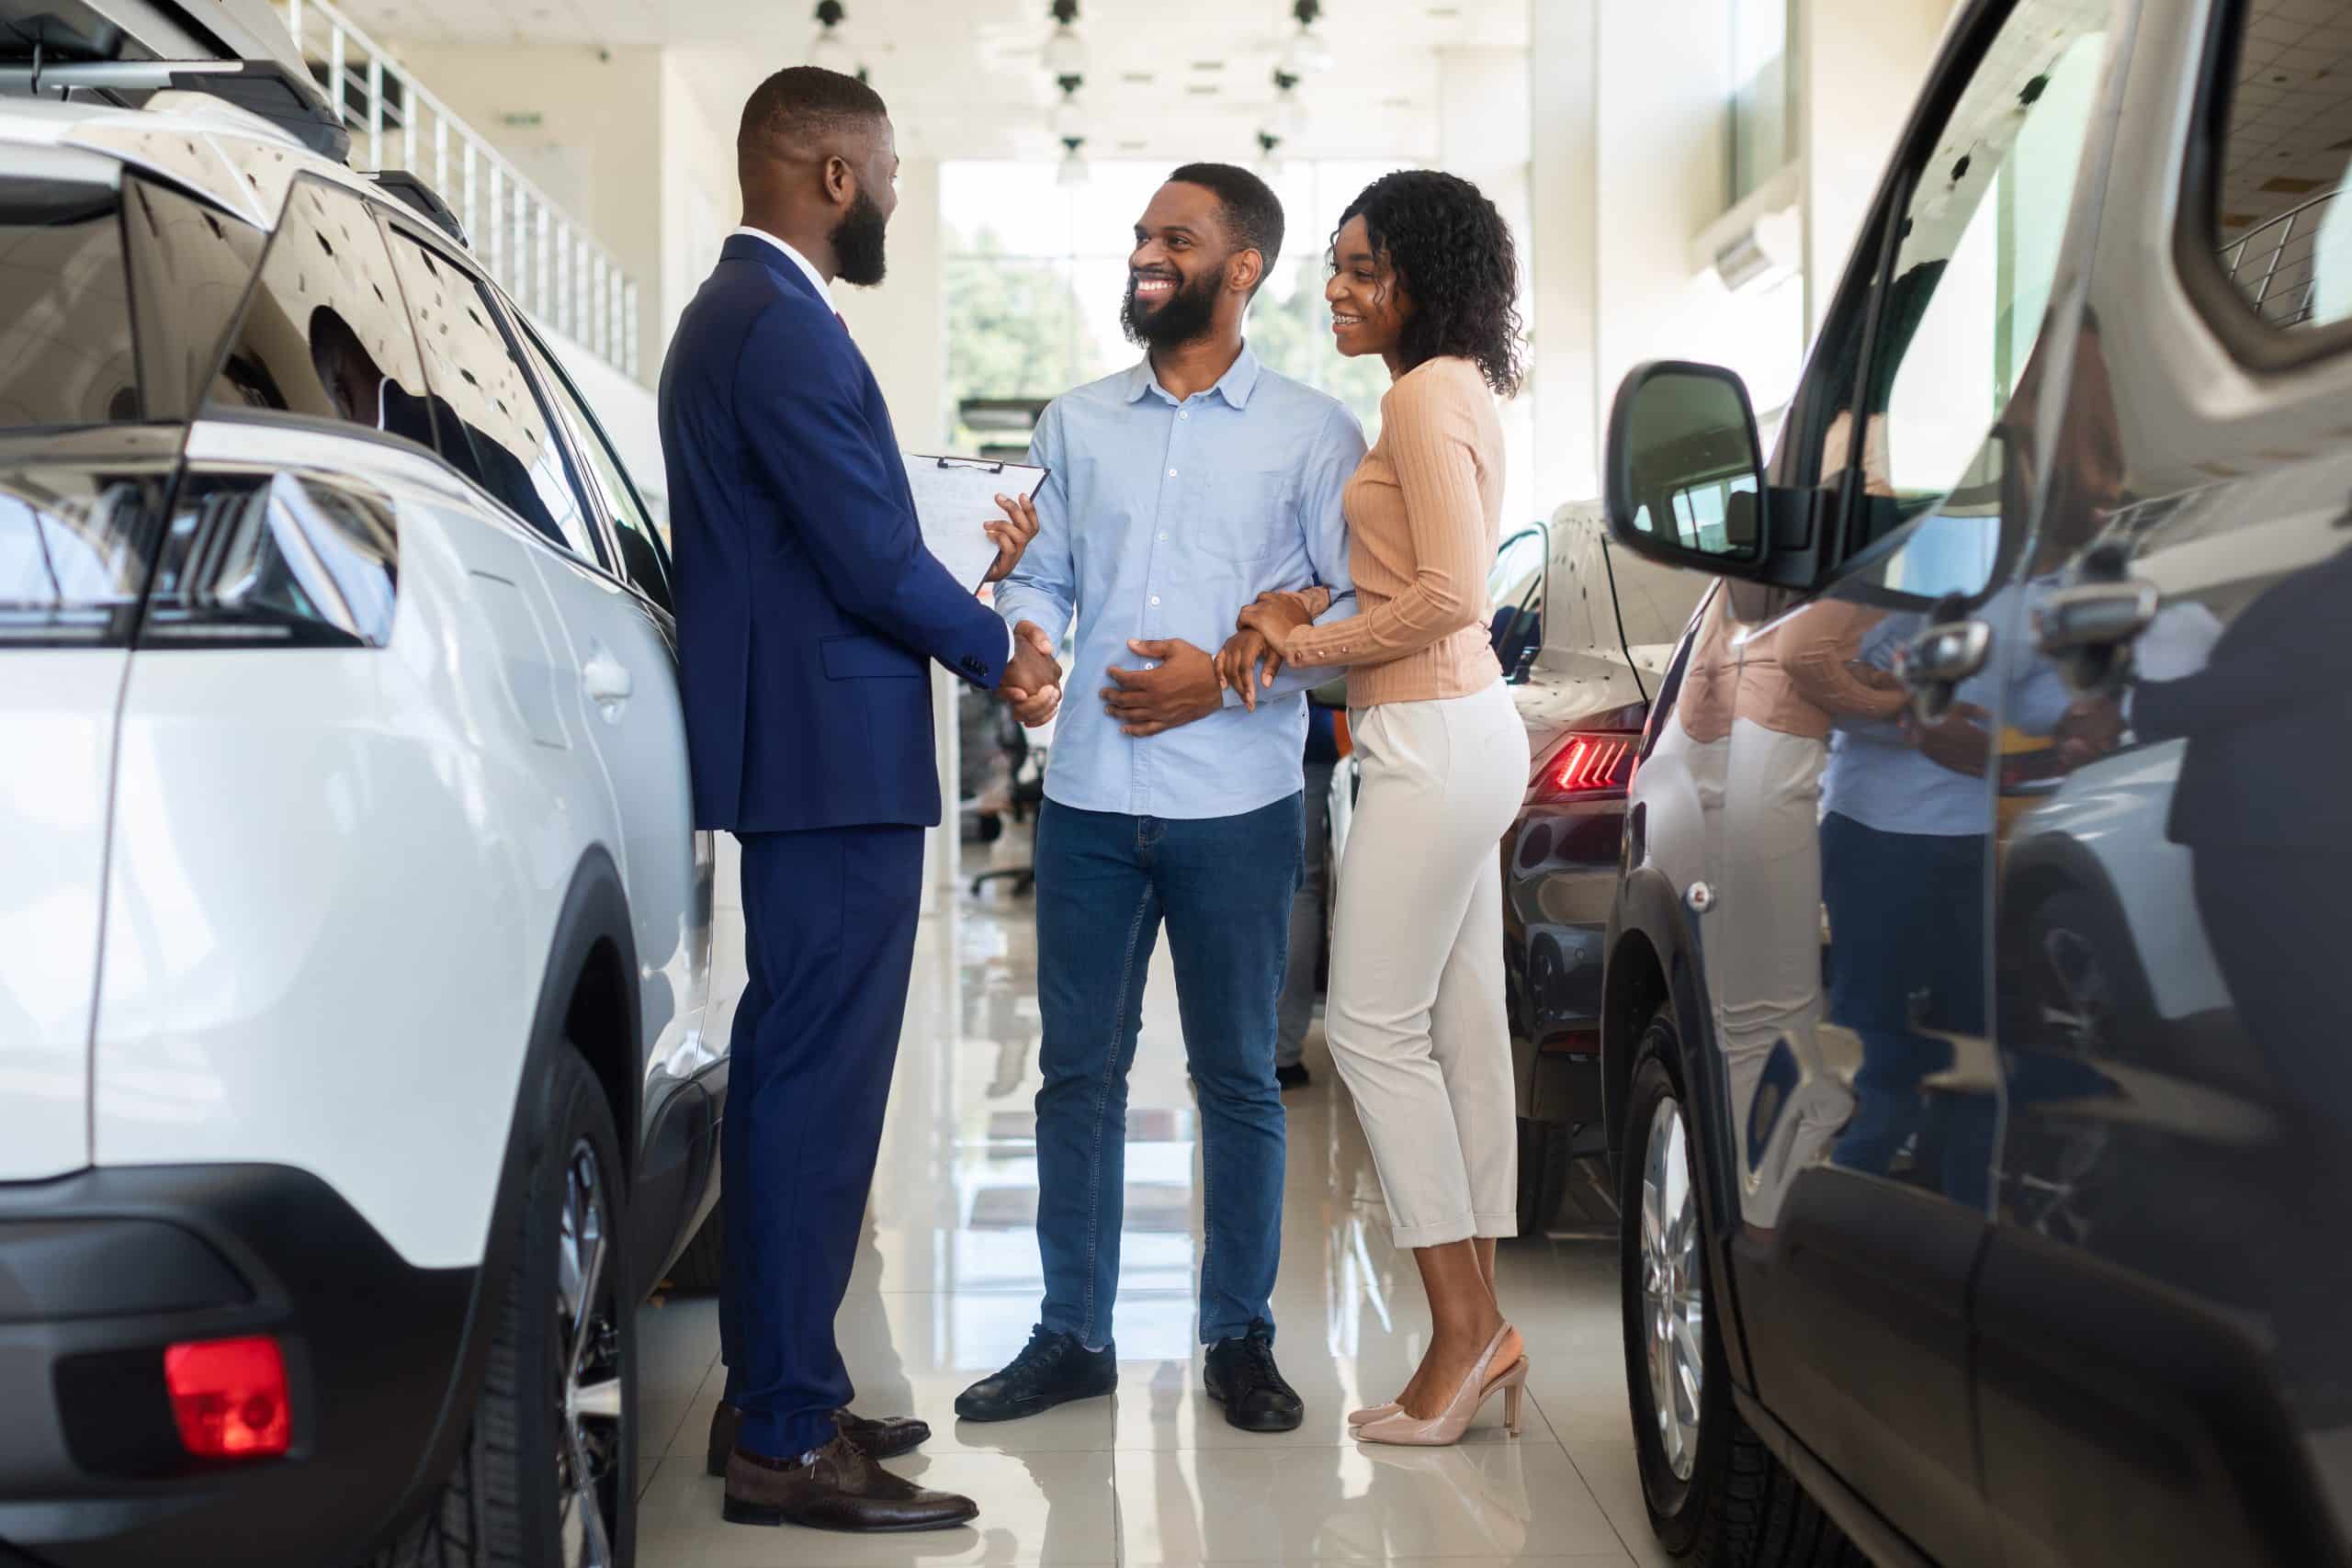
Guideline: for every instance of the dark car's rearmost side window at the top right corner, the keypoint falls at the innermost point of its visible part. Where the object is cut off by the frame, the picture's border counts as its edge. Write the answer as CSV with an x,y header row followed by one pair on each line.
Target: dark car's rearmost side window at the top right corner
x,y
2283,232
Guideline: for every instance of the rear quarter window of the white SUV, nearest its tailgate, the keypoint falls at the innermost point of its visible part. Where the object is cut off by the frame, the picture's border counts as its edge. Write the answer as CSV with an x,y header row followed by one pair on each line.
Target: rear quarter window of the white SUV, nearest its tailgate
x,y
323,333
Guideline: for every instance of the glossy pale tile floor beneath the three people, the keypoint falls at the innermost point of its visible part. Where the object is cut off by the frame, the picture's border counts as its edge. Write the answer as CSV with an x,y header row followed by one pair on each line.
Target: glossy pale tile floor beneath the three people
x,y
947,1292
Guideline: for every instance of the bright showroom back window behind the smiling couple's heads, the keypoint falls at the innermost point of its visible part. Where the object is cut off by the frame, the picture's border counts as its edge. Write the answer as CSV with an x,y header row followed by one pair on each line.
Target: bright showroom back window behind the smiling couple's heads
x,y
1036,274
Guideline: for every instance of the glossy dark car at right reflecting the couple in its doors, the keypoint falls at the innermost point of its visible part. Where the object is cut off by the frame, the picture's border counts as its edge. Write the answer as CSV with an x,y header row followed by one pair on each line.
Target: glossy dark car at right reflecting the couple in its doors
x,y
1975,1026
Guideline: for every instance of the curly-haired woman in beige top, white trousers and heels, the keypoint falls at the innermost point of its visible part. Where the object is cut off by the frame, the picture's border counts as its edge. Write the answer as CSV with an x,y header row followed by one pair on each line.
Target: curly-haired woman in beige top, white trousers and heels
x,y
1424,274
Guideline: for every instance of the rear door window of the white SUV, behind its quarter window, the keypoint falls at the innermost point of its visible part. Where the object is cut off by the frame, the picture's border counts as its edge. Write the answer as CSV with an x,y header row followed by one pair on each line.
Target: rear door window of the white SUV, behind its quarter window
x,y
486,415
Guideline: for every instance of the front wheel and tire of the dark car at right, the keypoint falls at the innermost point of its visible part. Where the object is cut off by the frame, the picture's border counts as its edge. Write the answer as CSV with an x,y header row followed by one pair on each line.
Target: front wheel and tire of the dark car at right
x,y
1716,1496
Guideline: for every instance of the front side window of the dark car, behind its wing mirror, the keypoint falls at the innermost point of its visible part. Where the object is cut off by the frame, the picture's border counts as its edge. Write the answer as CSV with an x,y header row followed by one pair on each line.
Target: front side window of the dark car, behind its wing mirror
x,y
1977,257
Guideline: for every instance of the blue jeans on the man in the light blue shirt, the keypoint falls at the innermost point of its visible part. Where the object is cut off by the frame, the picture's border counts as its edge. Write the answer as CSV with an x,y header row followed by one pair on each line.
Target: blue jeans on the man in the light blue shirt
x,y
1104,887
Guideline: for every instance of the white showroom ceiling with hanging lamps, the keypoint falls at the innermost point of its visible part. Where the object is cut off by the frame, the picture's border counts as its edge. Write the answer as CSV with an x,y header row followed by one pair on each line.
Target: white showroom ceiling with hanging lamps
x,y
965,79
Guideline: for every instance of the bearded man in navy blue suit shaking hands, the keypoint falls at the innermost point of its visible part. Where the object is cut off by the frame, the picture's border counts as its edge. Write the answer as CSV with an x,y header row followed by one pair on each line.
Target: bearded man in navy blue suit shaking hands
x,y
808,619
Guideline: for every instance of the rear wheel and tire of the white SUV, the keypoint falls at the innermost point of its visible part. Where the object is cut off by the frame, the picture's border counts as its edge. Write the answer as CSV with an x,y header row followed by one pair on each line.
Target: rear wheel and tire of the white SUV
x,y
549,1470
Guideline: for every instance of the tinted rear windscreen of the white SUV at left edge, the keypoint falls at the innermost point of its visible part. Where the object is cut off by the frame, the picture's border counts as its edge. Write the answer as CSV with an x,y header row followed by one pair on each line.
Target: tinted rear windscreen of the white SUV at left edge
x,y
67,344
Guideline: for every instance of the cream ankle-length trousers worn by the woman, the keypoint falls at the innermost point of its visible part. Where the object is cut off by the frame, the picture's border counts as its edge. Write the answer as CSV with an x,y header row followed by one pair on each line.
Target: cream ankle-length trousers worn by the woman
x,y
1417,1017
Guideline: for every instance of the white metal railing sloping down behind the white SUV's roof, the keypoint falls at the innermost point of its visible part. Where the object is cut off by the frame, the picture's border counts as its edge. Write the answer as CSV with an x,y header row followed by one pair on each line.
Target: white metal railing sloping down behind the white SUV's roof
x,y
537,253
